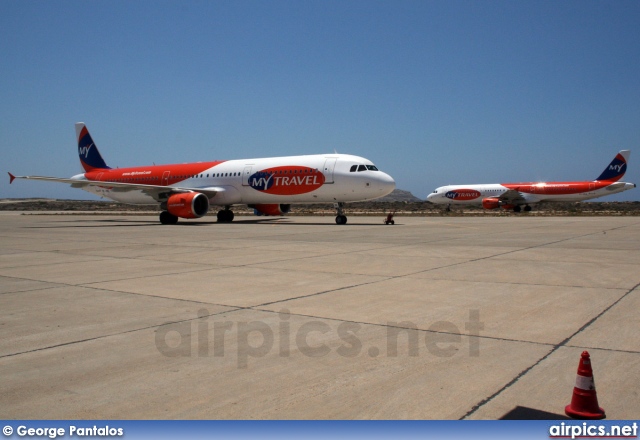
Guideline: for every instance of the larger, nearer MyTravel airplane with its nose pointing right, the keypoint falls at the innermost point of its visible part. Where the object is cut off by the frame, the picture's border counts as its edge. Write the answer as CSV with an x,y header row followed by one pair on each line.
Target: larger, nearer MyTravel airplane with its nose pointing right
x,y
268,185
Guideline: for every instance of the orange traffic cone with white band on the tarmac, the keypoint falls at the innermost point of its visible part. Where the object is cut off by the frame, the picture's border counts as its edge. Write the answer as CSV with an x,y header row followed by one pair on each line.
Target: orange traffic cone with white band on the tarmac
x,y
584,403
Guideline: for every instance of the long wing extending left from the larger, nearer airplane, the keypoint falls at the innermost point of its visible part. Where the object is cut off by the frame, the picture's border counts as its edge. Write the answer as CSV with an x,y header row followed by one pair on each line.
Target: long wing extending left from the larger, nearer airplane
x,y
159,193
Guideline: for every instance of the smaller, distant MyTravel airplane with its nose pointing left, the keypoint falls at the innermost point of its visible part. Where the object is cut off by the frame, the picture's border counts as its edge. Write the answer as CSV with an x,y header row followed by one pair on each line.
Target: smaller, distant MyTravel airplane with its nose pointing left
x,y
515,195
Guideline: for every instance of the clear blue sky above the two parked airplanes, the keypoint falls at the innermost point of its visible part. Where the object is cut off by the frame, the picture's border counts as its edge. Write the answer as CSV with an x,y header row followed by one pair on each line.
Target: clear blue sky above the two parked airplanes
x,y
433,92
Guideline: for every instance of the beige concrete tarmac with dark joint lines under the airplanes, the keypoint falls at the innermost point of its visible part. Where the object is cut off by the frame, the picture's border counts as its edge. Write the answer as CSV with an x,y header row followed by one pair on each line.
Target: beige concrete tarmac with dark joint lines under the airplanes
x,y
119,317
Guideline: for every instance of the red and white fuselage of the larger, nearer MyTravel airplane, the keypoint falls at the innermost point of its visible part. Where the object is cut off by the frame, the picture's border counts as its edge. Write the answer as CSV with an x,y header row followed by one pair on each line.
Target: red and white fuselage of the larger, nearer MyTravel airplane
x,y
292,179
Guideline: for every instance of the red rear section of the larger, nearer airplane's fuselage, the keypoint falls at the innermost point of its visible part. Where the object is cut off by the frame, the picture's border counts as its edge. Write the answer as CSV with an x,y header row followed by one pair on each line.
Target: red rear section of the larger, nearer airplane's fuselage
x,y
152,175
